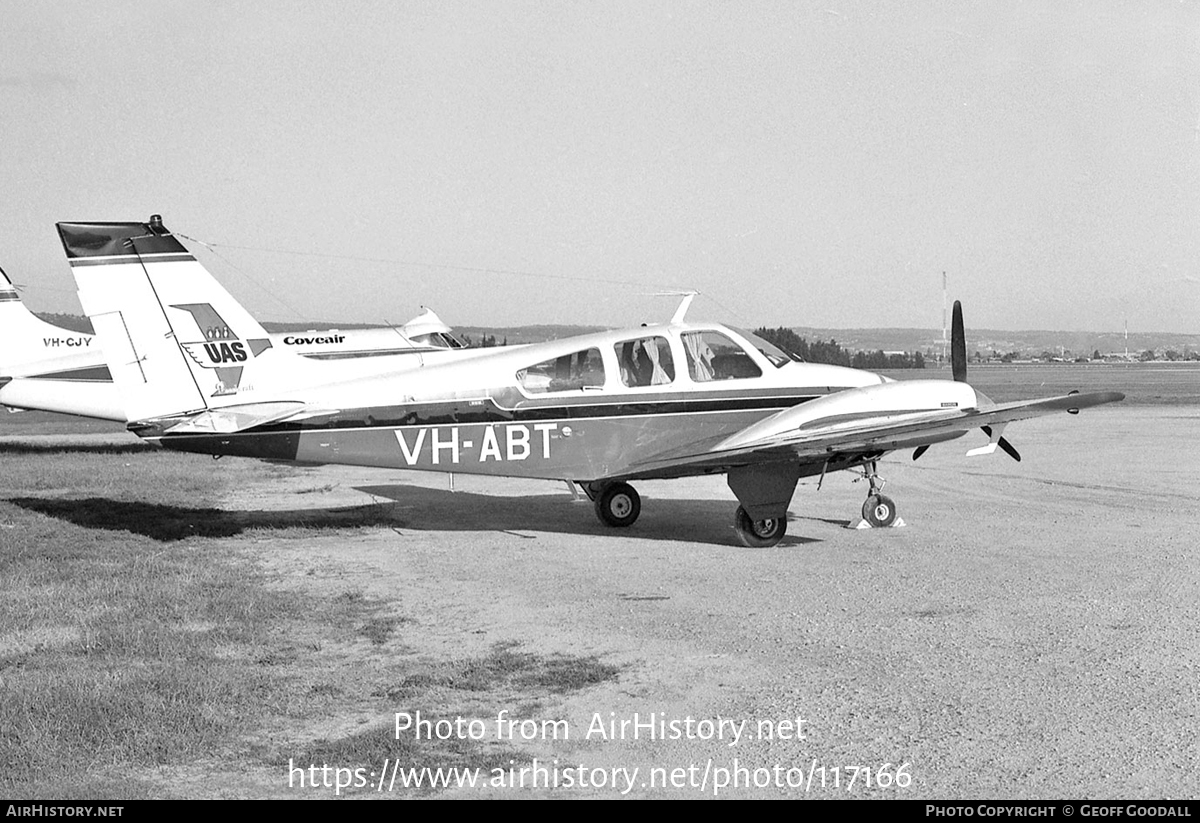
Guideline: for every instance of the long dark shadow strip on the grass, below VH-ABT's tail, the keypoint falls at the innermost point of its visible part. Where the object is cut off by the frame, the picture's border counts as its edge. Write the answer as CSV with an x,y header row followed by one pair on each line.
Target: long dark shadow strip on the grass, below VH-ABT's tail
x,y
167,524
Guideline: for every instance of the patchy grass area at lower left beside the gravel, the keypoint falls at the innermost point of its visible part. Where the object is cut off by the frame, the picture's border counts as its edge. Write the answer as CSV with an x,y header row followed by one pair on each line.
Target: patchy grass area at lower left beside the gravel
x,y
145,653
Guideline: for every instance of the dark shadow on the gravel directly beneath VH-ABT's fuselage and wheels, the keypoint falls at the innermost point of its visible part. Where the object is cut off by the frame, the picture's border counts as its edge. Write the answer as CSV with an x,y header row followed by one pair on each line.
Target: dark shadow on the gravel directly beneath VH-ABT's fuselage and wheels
x,y
670,520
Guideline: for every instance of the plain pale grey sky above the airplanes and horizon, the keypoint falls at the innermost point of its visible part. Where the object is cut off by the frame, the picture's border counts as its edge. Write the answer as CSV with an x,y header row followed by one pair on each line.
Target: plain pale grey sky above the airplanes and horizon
x,y
803,164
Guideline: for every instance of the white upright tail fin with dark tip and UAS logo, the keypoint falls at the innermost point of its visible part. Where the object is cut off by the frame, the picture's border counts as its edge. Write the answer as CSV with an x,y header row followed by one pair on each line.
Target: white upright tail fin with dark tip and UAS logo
x,y
177,344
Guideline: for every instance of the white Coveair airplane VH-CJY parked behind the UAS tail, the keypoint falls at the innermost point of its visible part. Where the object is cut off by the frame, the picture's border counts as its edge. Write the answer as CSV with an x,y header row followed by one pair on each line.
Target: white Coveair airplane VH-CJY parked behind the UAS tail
x,y
49,369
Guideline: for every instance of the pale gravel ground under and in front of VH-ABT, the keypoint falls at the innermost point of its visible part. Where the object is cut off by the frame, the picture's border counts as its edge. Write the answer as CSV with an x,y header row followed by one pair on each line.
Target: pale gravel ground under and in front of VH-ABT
x,y
1031,632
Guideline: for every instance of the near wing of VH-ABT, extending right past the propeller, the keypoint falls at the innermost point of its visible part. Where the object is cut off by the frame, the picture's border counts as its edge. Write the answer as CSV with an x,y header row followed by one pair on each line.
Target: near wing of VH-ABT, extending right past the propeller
x,y
842,438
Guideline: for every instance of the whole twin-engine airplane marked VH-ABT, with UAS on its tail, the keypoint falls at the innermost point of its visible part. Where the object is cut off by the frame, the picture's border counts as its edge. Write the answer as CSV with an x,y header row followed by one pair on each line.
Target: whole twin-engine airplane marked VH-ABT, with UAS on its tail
x,y
598,411
